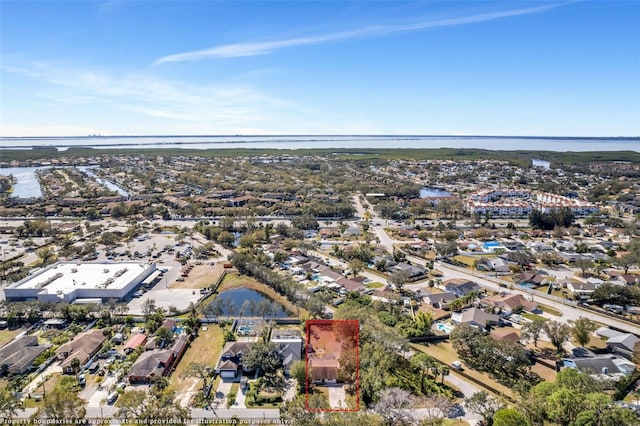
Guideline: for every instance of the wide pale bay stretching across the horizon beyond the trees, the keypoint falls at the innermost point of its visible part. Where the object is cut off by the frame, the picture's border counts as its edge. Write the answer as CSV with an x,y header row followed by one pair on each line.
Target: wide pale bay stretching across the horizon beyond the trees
x,y
329,142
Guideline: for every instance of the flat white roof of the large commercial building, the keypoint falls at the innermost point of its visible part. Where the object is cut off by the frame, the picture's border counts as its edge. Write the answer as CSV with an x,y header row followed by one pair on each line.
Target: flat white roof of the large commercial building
x,y
63,277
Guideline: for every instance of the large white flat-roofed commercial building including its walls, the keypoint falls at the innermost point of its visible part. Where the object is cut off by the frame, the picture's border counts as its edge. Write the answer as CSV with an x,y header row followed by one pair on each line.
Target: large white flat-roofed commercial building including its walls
x,y
72,281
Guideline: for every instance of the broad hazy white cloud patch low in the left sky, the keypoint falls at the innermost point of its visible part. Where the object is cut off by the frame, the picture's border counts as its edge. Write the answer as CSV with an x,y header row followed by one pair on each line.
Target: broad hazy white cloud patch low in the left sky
x,y
180,106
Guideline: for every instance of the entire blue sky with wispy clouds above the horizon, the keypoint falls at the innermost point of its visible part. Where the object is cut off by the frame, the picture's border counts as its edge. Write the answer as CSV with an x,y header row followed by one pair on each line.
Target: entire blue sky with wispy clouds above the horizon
x,y
330,67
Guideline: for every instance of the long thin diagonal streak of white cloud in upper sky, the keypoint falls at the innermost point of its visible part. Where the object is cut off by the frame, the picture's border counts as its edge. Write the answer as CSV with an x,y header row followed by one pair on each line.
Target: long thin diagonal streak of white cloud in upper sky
x,y
266,47
